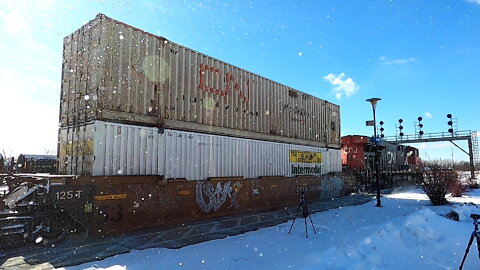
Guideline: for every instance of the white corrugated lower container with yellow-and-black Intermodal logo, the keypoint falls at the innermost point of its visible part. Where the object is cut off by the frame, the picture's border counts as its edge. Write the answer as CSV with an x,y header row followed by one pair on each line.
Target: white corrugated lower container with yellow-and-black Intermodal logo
x,y
119,149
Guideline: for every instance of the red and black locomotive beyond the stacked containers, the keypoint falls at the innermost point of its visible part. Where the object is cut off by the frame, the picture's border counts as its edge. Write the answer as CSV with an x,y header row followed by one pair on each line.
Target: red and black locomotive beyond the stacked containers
x,y
396,162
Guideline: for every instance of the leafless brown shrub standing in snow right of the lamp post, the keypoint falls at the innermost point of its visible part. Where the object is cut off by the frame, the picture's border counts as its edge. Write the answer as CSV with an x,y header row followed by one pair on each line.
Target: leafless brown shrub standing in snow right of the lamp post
x,y
439,179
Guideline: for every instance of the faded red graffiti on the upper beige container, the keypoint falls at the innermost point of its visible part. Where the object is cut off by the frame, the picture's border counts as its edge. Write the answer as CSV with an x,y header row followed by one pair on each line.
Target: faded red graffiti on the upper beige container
x,y
229,82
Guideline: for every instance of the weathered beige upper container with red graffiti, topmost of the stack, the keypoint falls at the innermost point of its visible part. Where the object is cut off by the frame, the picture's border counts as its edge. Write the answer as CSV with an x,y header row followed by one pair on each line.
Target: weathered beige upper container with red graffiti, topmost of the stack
x,y
115,72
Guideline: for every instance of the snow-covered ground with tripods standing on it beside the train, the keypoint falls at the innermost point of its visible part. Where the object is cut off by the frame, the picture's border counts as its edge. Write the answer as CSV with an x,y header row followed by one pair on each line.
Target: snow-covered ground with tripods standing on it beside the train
x,y
406,233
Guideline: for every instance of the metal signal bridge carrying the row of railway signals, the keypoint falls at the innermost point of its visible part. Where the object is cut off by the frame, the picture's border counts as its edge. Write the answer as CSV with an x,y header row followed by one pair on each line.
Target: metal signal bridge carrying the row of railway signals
x,y
470,136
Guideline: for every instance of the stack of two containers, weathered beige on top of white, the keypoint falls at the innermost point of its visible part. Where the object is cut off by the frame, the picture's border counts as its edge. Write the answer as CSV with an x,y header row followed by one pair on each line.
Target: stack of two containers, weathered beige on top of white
x,y
137,104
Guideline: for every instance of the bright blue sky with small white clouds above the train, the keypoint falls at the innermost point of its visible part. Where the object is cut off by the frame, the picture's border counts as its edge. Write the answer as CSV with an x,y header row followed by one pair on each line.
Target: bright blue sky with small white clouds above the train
x,y
421,57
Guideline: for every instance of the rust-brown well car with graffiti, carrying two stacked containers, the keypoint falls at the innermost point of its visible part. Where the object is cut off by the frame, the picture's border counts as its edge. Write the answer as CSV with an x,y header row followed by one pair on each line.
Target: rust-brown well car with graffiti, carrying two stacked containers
x,y
153,133
